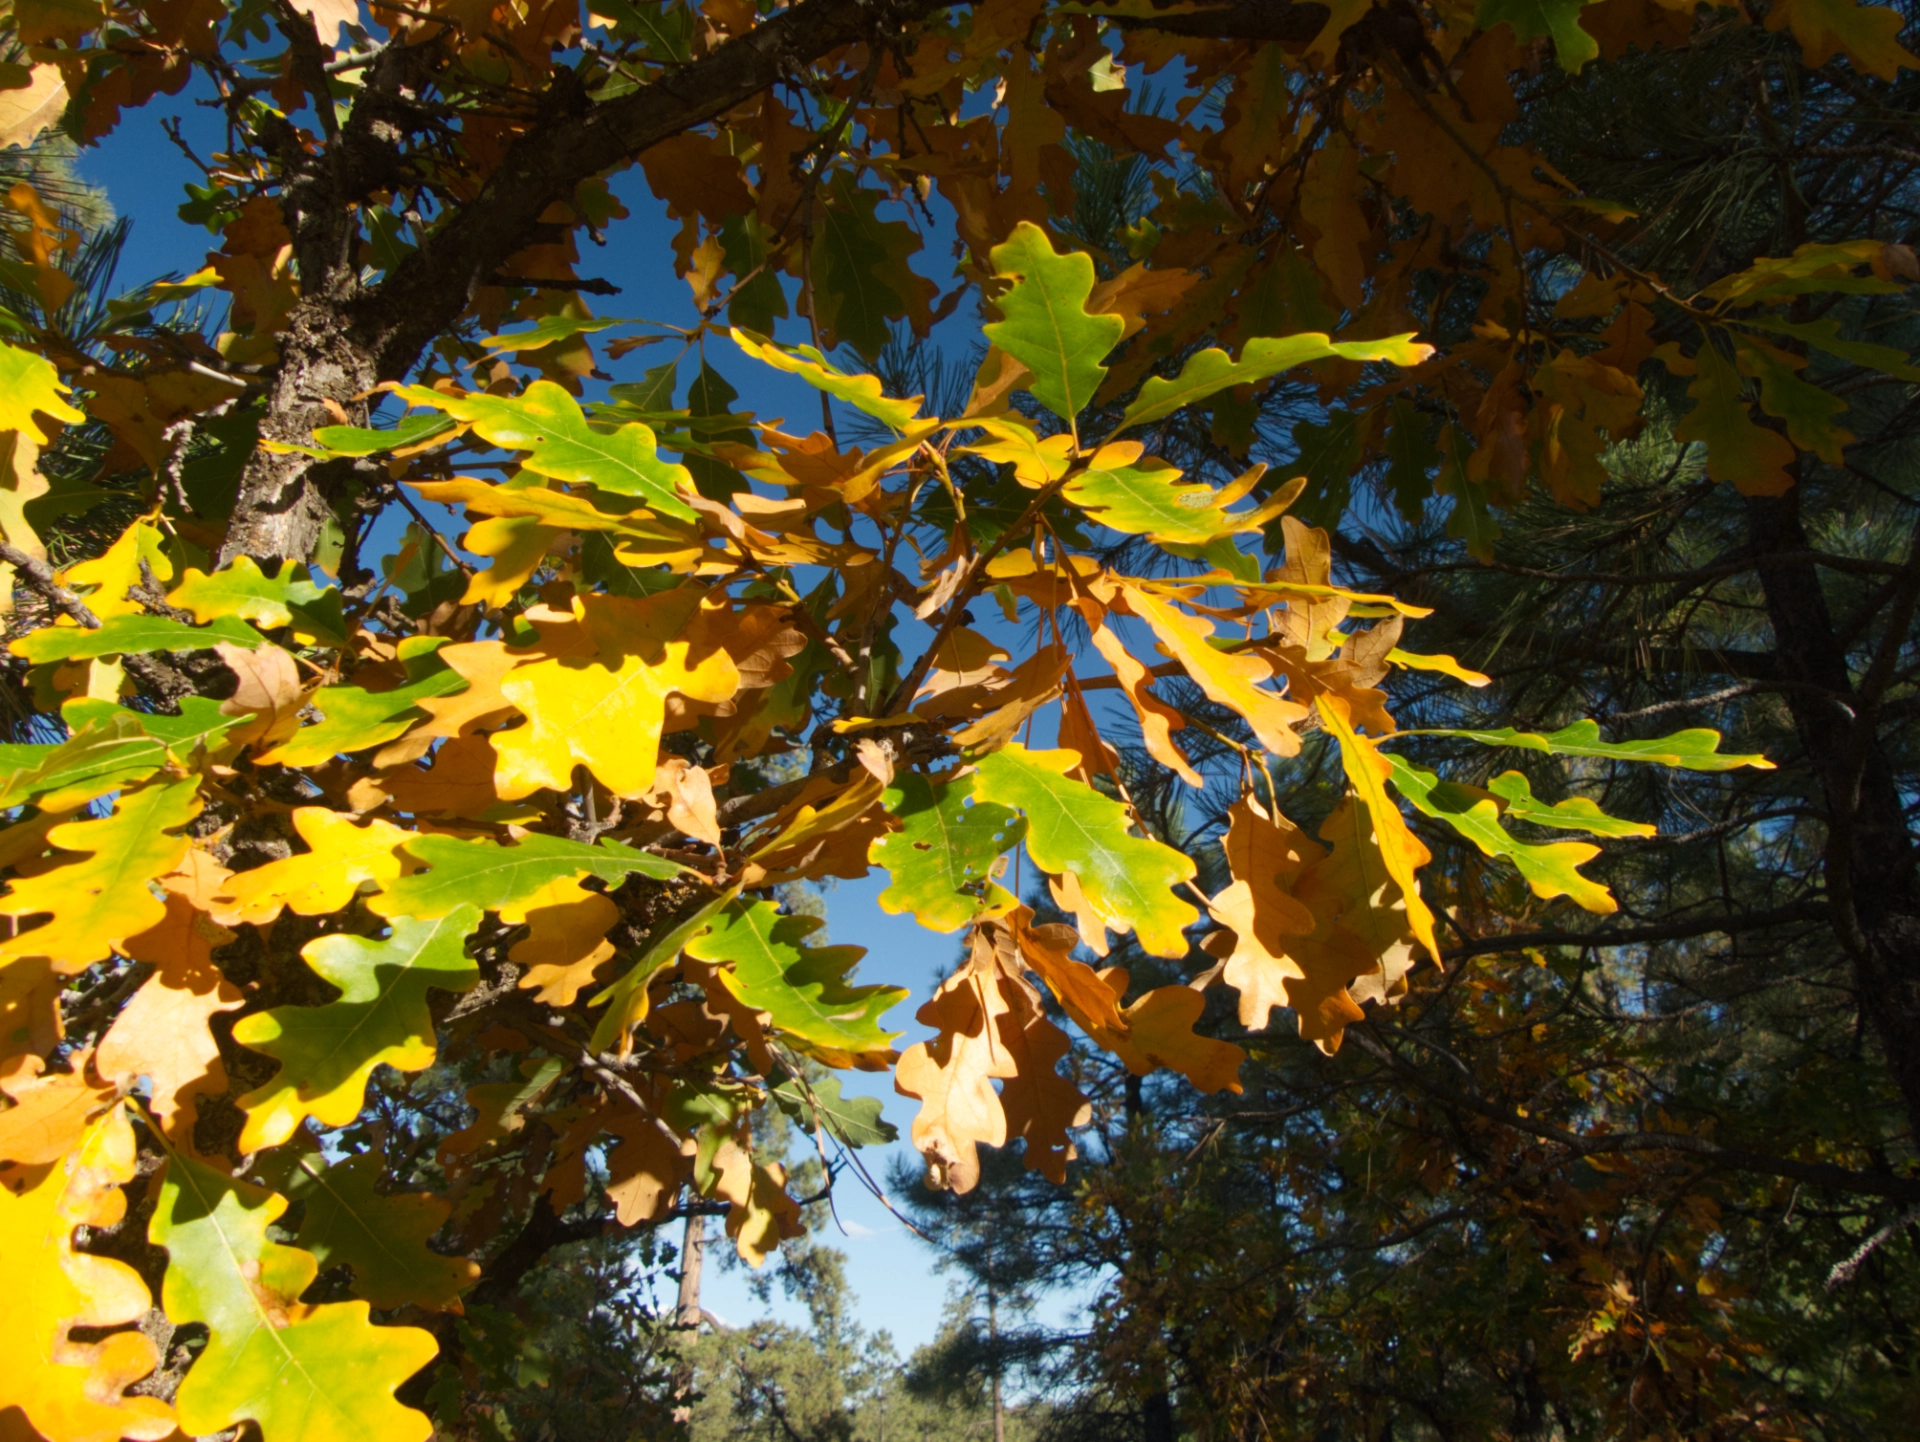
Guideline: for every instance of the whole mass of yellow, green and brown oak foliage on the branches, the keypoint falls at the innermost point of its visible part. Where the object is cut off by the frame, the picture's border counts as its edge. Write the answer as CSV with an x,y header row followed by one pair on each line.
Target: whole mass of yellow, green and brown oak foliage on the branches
x,y
535,815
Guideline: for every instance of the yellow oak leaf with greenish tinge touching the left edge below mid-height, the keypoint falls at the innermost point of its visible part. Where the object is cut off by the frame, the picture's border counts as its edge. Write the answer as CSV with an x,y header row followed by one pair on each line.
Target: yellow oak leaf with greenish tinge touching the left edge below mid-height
x,y
95,890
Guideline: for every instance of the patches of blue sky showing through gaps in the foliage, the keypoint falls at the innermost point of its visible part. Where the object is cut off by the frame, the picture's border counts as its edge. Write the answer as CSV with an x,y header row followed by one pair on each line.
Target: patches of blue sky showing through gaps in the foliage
x,y
892,1272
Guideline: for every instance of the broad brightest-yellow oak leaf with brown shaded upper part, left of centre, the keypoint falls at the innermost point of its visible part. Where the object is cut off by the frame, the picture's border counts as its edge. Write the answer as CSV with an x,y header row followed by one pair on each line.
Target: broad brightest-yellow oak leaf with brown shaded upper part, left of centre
x,y
608,711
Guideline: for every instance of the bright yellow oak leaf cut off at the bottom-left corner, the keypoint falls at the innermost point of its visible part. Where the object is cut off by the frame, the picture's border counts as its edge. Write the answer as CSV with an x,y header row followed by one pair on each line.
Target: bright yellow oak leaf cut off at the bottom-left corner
x,y
76,1391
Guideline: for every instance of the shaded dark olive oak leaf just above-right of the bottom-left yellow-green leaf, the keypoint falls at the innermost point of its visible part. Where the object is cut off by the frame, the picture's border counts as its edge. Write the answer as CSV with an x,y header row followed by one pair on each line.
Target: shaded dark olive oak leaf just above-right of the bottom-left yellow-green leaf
x,y
379,1236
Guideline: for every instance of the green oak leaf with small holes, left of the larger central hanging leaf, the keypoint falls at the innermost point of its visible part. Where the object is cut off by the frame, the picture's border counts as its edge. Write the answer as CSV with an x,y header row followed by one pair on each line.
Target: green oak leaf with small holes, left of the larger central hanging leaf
x,y
944,850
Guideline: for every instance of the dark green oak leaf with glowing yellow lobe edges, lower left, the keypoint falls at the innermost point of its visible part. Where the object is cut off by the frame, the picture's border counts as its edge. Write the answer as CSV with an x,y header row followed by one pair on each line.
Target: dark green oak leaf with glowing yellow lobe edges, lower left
x,y
327,1053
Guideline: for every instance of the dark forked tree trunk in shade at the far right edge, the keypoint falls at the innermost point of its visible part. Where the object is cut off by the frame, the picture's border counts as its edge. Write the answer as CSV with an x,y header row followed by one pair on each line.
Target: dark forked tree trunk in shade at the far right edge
x,y
1869,863
